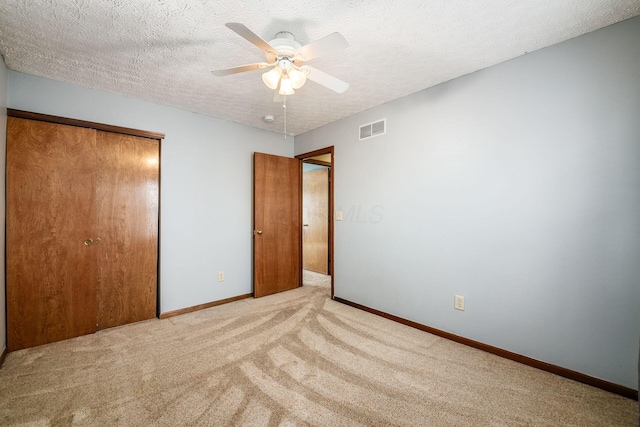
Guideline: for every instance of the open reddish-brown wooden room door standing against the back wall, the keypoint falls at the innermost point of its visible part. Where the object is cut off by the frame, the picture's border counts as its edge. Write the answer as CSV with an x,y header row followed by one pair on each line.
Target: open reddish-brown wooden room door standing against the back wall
x,y
276,219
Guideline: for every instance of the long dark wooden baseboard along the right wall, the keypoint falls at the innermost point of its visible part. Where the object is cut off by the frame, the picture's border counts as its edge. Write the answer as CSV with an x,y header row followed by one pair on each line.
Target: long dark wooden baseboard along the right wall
x,y
525,360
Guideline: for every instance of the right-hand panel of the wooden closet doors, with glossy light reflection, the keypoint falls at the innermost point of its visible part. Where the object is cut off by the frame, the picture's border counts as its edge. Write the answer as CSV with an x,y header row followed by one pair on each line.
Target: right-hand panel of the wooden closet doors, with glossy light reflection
x,y
127,226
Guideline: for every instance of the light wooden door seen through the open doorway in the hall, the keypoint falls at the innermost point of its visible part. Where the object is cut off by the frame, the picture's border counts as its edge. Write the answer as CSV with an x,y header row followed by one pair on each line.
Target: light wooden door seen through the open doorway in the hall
x,y
315,220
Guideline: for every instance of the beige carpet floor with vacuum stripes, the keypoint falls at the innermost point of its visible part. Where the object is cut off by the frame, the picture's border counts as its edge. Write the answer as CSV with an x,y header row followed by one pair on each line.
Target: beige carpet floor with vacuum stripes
x,y
295,358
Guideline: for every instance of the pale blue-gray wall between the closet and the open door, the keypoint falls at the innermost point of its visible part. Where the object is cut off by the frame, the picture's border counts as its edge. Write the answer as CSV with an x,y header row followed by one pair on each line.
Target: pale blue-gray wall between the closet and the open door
x,y
206,184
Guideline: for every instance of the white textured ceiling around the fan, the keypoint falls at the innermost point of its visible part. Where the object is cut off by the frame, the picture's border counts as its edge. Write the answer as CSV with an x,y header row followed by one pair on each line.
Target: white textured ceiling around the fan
x,y
163,50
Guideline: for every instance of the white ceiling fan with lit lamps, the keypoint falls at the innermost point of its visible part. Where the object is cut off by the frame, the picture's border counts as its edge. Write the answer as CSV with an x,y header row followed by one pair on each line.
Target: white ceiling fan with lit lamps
x,y
286,58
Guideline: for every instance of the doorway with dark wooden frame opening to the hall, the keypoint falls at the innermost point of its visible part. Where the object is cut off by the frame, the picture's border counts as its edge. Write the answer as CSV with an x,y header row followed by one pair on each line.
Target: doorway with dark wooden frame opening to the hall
x,y
317,218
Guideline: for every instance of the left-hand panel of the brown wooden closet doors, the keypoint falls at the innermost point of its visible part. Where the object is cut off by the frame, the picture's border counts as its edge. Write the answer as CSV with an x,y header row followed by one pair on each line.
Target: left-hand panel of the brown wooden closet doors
x,y
51,293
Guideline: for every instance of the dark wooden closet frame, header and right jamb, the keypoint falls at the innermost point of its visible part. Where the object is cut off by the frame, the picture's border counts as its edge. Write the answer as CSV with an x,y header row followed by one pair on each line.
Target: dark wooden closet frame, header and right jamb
x,y
113,129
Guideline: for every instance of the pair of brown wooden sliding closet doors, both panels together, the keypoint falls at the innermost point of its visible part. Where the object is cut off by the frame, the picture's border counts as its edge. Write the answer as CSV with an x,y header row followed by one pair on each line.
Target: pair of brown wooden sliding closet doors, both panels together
x,y
82,231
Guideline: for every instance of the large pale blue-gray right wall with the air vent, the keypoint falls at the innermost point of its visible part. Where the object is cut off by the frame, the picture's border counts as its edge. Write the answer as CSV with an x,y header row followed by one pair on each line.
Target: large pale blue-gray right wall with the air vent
x,y
517,187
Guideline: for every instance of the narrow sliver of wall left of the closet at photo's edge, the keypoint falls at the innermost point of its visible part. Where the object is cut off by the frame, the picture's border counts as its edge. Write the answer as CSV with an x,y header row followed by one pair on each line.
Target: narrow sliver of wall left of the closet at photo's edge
x,y
3,144
